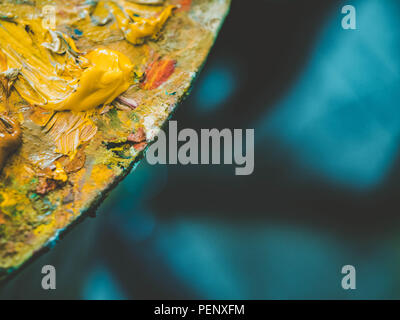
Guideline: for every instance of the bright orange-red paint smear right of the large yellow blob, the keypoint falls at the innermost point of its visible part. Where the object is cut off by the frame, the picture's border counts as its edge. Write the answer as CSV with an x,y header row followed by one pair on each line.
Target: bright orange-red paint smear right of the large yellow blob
x,y
157,73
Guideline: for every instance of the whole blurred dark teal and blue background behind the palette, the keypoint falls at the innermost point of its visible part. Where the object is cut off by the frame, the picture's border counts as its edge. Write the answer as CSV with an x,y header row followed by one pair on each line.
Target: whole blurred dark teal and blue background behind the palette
x,y
324,103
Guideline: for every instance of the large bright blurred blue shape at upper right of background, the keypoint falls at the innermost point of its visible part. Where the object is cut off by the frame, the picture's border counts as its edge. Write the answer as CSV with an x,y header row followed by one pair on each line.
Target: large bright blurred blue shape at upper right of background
x,y
342,118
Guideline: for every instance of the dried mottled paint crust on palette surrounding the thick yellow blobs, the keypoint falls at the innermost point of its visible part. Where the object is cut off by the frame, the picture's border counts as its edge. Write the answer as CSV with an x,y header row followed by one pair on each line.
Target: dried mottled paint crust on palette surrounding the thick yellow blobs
x,y
43,192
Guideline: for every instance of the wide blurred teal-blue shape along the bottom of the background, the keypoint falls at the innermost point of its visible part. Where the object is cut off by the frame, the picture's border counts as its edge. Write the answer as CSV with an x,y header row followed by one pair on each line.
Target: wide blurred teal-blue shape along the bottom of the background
x,y
271,262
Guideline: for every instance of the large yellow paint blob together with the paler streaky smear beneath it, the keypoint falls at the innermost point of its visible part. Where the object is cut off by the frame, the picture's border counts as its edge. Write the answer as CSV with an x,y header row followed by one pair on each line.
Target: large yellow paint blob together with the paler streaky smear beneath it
x,y
52,74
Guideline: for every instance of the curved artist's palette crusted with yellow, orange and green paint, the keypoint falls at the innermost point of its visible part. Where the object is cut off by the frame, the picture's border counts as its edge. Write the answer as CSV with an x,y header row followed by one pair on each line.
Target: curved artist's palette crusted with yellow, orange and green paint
x,y
70,156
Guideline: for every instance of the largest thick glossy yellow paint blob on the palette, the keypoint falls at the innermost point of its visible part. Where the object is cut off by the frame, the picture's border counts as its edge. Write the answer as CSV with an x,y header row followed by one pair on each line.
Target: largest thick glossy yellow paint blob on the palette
x,y
55,75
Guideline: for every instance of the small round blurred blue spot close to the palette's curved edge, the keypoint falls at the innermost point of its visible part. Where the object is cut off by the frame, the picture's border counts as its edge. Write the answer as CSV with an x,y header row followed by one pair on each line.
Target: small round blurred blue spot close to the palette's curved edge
x,y
215,87
